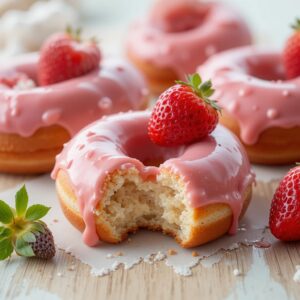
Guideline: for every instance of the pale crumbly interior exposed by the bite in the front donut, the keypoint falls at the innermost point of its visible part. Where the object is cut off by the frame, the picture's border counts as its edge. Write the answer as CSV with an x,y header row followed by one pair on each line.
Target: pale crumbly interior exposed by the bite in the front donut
x,y
131,203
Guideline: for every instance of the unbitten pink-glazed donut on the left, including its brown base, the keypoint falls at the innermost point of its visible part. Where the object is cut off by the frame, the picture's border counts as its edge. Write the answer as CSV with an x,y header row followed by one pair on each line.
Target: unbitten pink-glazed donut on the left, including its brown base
x,y
37,121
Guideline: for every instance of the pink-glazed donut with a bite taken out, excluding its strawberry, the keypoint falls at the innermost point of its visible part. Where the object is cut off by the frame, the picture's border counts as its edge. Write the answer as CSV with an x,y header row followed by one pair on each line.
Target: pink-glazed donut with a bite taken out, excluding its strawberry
x,y
111,180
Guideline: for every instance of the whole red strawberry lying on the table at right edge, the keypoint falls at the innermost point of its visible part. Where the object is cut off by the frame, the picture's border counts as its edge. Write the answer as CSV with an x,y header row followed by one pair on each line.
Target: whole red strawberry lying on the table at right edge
x,y
285,208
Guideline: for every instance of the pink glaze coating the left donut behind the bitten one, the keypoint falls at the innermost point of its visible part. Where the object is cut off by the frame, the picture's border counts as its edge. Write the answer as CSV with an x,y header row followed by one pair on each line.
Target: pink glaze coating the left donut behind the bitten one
x,y
116,86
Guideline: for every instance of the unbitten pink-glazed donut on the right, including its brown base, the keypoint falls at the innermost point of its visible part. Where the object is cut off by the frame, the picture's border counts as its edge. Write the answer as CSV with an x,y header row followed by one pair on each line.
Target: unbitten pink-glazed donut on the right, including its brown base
x,y
259,105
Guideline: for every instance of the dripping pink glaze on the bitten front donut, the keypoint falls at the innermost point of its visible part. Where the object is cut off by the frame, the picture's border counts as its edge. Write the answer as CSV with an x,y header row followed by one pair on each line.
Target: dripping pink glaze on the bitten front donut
x,y
214,170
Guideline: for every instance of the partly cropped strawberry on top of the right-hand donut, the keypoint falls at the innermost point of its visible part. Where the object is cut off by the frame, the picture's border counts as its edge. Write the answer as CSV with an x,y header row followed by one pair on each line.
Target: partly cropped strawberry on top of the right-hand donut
x,y
291,55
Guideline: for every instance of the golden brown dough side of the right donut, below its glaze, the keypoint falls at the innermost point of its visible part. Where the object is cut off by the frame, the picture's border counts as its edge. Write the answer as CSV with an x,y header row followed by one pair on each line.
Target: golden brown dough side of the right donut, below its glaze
x,y
274,146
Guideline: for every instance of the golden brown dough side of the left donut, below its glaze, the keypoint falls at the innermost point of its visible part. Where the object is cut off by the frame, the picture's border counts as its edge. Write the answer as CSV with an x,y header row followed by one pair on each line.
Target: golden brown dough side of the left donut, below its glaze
x,y
34,154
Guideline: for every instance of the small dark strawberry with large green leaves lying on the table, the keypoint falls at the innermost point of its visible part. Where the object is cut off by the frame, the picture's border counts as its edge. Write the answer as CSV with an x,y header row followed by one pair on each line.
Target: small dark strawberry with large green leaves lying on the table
x,y
22,230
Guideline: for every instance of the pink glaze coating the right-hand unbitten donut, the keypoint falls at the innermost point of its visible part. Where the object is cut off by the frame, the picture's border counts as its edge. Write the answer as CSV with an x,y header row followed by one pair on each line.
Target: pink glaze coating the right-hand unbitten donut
x,y
250,86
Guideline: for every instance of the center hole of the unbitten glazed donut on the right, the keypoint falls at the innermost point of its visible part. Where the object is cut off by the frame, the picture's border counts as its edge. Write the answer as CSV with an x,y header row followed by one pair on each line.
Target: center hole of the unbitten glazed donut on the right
x,y
266,69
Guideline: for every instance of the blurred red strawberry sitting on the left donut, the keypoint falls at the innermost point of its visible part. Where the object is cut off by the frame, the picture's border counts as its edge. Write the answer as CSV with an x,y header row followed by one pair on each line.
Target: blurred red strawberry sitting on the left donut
x,y
64,56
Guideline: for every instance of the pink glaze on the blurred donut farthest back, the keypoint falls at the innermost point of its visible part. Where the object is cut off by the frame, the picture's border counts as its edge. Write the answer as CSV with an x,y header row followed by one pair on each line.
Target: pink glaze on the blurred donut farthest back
x,y
182,34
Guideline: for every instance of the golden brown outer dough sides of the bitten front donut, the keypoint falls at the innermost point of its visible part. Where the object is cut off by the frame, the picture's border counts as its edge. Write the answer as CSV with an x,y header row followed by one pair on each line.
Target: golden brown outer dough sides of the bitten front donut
x,y
209,222
